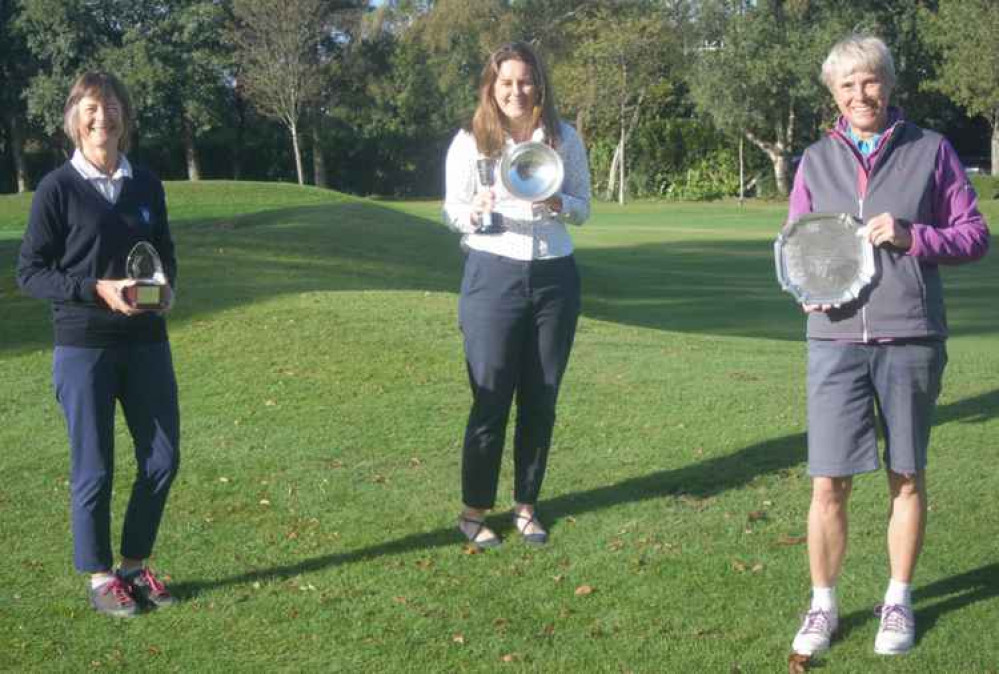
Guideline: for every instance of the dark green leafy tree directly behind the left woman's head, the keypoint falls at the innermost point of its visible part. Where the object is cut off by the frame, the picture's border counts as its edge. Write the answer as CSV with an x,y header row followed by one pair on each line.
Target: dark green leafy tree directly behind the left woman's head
x,y
166,52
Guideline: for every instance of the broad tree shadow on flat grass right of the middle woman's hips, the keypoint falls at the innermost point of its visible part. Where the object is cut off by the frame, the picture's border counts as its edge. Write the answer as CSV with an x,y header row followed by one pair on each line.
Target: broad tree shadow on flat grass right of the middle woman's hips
x,y
728,287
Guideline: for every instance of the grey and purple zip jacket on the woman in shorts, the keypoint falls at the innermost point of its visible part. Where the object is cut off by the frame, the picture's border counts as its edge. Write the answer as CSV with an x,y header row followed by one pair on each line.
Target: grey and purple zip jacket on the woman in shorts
x,y
914,175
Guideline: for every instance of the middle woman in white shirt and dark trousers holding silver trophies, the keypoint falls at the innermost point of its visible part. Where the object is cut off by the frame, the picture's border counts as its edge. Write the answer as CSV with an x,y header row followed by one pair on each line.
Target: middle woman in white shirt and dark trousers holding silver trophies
x,y
520,294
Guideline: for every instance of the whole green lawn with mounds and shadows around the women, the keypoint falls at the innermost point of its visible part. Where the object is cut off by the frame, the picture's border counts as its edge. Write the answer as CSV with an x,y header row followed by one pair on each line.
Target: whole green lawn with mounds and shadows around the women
x,y
323,400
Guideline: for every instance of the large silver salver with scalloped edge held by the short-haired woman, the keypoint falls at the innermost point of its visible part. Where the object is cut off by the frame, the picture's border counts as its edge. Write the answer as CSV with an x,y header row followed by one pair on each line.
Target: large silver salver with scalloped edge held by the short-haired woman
x,y
824,258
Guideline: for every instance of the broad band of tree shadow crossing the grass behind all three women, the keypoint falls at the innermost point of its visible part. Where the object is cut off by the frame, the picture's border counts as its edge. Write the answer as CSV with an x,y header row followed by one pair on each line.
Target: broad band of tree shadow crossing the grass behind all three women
x,y
709,286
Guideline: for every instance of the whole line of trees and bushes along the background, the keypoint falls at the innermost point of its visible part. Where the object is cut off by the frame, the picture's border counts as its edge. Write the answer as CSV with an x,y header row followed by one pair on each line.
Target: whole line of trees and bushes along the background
x,y
687,99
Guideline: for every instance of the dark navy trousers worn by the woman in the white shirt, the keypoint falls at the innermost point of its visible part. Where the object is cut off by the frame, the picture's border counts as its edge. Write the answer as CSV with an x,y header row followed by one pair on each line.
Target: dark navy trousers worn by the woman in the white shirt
x,y
519,320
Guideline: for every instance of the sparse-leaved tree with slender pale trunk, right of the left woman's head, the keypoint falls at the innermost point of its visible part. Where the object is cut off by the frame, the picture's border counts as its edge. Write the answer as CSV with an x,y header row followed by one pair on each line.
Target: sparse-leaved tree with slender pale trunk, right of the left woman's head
x,y
277,45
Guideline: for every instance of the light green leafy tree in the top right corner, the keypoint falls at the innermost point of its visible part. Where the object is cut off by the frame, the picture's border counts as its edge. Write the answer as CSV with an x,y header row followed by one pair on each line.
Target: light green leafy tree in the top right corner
x,y
964,32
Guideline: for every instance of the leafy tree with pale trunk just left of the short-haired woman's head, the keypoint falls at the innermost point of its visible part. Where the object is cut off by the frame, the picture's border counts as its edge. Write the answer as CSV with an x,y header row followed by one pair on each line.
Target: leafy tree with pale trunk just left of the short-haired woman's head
x,y
761,80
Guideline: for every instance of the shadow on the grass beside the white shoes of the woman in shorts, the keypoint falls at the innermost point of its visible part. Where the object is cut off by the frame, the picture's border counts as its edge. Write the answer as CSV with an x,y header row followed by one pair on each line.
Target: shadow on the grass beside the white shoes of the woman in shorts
x,y
935,600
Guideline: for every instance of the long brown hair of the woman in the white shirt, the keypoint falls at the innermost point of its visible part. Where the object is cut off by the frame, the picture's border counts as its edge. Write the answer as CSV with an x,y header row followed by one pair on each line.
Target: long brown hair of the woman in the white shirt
x,y
488,122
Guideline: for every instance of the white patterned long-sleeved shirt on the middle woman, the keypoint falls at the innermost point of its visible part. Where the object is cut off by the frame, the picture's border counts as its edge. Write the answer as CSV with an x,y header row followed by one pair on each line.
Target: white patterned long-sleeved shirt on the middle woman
x,y
531,231
